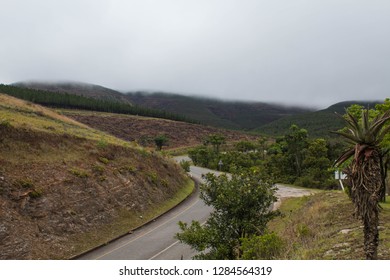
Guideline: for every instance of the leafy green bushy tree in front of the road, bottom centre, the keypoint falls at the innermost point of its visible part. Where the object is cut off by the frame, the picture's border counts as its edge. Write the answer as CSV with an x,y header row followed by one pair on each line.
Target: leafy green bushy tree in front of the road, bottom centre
x,y
241,210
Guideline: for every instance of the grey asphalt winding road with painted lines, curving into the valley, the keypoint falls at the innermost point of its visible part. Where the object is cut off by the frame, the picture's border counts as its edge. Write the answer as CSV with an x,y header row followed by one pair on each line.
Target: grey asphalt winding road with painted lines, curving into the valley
x,y
155,241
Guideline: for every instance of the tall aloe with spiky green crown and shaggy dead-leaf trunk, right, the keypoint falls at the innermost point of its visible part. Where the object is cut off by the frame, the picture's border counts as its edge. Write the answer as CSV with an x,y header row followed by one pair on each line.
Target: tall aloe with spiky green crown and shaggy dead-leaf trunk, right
x,y
364,172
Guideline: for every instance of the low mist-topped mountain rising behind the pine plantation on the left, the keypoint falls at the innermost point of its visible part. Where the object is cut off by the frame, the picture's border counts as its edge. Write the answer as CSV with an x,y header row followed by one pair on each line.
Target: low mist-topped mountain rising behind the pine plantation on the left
x,y
84,89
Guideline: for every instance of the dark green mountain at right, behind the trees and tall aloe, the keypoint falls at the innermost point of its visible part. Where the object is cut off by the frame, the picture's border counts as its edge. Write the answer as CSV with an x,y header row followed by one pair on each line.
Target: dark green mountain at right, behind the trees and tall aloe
x,y
318,124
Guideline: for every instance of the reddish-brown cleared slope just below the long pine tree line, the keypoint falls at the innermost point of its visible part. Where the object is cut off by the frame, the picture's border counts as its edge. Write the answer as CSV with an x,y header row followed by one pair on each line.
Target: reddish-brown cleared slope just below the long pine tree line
x,y
143,130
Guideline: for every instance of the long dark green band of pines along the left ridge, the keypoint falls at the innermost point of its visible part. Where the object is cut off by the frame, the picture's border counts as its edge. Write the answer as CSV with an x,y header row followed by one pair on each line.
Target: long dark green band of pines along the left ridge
x,y
73,101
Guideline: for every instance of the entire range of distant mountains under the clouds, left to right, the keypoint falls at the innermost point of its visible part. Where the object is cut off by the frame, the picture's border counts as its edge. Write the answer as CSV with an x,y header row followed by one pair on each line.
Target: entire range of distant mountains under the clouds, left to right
x,y
265,118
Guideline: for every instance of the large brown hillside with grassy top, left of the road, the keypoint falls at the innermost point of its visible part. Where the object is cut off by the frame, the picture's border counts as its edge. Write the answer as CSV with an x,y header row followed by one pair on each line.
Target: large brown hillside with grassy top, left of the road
x,y
65,187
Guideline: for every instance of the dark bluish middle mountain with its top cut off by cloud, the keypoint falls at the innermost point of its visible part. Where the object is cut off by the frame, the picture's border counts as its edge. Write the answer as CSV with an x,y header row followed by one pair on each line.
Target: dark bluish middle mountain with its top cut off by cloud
x,y
225,114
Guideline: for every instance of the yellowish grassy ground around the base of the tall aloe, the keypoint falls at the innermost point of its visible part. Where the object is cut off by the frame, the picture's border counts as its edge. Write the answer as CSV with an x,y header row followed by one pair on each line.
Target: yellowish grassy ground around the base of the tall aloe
x,y
322,227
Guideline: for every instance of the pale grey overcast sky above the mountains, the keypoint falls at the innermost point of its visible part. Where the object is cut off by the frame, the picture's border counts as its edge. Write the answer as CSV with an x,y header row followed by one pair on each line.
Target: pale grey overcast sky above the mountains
x,y
308,52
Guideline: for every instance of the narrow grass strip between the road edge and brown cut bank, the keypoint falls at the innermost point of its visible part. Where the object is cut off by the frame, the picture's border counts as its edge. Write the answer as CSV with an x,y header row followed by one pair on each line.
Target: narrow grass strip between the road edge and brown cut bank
x,y
126,221
